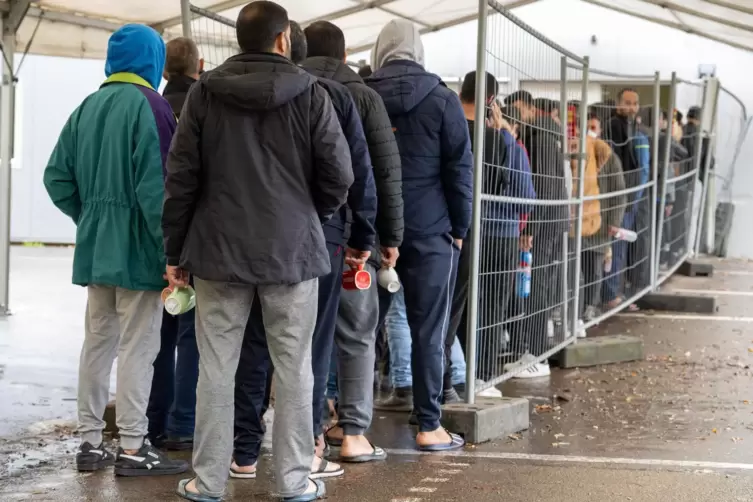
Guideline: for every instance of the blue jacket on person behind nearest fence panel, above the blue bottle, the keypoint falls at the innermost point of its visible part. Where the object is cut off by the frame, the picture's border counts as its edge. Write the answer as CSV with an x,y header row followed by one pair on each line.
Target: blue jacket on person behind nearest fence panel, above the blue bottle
x,y
502,219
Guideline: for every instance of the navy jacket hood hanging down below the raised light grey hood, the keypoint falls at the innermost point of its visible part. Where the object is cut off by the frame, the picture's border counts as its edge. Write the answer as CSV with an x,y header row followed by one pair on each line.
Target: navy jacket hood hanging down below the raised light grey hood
x,y
403,85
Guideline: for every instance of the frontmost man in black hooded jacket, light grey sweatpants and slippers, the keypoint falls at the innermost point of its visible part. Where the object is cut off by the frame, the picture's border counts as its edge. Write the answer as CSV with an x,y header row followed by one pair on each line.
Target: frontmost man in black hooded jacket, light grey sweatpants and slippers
x,y
258,163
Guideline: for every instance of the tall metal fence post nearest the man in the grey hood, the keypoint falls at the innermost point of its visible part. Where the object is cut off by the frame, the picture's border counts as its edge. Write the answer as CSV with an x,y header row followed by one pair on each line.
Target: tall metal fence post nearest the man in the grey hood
x,y
478,176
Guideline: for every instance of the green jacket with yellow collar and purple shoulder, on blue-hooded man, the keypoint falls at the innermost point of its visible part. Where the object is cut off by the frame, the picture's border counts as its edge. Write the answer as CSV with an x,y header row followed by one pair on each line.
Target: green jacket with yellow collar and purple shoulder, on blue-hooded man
x,y
107,174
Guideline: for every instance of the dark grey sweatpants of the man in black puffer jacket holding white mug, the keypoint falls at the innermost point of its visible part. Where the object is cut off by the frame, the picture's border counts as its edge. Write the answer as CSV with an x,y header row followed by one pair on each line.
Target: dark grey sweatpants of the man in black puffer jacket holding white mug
x,y
355,338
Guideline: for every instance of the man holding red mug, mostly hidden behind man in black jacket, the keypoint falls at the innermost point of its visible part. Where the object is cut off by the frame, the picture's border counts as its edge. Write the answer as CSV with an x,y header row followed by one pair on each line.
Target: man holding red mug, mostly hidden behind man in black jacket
x,y
251,393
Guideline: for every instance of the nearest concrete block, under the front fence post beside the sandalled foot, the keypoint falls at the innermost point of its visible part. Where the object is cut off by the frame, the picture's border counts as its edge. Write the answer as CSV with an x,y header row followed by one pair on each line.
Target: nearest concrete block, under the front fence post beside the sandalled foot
x,y
487,419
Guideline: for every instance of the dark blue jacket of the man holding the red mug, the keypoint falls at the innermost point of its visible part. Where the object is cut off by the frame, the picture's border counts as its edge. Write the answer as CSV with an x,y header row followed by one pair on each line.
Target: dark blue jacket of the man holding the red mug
x,y
362,200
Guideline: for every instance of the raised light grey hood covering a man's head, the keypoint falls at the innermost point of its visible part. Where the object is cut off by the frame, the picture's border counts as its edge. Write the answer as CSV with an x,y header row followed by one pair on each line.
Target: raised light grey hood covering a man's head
x,y
398,40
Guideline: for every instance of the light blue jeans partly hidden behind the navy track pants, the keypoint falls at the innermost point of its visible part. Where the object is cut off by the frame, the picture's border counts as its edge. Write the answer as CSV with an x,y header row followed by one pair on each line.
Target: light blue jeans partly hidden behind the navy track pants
x,y
399,339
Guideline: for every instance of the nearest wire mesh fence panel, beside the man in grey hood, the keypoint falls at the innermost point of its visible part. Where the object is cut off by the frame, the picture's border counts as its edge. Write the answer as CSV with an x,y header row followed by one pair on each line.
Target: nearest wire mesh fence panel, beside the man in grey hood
x,y
521,240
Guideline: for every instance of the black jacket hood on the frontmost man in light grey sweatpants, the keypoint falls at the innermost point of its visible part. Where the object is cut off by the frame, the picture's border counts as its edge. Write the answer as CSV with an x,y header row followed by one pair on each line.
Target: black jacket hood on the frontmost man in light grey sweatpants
x,y
257,81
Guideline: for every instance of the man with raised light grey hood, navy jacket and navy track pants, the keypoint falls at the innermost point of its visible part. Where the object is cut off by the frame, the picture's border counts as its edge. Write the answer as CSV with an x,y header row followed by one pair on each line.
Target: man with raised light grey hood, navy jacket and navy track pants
x,y
435,150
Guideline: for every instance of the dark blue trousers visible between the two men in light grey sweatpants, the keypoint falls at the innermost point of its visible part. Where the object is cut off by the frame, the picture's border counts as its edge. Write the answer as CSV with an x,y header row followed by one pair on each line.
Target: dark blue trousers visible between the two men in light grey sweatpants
x,y
172,402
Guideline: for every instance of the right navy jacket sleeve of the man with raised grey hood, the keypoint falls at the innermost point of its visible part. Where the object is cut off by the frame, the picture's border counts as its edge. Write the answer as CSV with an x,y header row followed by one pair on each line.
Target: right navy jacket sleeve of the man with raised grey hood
x,y
457,166
